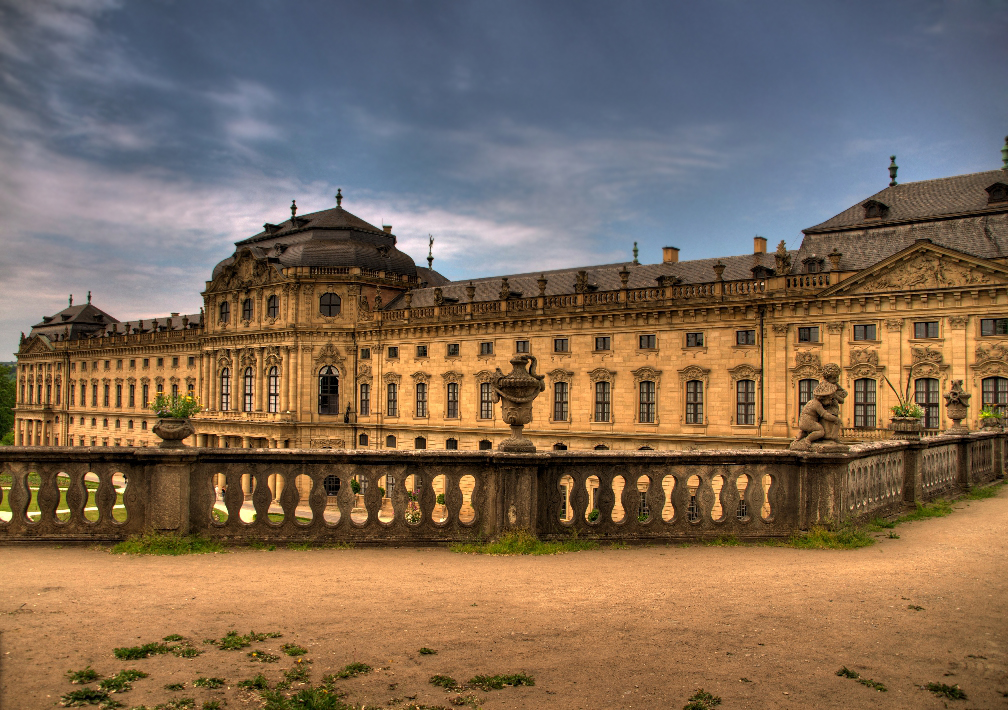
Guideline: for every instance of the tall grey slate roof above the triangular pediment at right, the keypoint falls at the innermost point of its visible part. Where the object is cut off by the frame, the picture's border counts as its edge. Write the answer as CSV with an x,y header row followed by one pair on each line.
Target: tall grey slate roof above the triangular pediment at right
x,y
917,211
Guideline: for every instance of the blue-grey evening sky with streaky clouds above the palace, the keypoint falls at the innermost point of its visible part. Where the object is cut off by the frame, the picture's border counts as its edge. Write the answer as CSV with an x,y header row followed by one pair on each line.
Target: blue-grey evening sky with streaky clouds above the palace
x,y
139,141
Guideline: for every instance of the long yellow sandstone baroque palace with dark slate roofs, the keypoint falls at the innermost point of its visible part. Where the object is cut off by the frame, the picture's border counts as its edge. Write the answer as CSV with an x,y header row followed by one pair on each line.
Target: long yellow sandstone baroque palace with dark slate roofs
x,y
319,333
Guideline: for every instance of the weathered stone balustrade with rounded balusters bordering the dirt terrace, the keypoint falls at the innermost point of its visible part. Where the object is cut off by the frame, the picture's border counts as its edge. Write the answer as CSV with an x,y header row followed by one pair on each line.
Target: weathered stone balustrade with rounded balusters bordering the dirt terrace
x,y
428,498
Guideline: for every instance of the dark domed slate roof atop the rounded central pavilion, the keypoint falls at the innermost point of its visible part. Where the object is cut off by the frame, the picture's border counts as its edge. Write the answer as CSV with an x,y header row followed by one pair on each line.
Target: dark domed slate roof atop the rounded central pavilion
x,y
328,239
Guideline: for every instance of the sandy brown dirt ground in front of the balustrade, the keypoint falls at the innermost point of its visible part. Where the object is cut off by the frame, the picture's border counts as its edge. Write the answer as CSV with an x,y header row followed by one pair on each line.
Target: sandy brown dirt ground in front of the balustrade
x,y
611,629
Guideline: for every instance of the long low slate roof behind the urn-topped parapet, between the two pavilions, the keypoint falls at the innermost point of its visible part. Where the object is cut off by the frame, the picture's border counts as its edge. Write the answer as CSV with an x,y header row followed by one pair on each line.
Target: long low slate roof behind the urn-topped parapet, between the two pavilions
x,y
604,278
